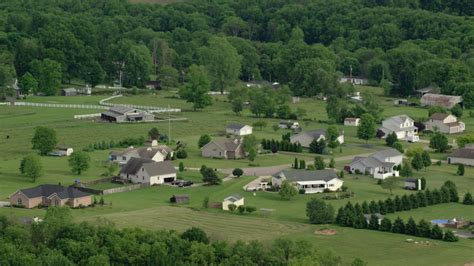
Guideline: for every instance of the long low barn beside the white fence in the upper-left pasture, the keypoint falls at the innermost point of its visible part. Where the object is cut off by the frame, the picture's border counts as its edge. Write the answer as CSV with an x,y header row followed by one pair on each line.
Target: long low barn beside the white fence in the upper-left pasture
x,y
120,114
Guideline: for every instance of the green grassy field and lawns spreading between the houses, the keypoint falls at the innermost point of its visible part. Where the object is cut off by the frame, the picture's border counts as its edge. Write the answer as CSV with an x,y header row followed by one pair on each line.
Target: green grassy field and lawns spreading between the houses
x,y
150,207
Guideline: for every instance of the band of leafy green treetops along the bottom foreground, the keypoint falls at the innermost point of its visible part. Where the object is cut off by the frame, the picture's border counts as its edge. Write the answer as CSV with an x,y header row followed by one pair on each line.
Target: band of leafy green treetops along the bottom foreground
x,y
58,241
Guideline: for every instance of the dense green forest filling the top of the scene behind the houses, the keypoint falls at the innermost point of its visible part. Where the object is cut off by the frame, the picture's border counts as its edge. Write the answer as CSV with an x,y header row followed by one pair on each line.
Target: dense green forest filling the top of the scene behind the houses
x,y
306,44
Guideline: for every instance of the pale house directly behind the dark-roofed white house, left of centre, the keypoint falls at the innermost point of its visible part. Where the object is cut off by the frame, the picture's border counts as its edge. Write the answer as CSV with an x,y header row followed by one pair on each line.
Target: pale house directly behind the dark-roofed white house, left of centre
x,y
156,153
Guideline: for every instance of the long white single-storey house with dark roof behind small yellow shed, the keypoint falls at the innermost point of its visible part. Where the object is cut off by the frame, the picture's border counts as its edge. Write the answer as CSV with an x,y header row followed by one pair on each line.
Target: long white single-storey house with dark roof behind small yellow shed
x,y
316,181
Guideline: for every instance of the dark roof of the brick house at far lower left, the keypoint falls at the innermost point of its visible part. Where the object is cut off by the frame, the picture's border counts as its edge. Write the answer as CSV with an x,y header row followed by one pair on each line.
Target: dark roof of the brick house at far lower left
x,y
47,190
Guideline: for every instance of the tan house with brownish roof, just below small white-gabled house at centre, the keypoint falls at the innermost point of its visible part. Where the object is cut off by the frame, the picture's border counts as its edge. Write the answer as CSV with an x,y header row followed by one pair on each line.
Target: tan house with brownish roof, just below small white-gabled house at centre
x,y
226,148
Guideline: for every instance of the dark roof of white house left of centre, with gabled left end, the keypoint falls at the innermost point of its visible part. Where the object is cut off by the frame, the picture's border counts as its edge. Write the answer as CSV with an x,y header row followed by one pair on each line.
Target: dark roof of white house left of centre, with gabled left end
x,y
153,168
